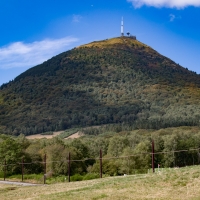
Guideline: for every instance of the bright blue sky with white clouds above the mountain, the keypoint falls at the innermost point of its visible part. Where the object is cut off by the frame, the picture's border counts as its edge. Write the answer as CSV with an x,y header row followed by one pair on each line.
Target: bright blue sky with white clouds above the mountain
x,y
34,31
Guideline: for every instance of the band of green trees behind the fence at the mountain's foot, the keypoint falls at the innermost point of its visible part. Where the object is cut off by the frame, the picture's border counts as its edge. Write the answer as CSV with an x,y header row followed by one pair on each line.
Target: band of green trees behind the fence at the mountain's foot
x,y
124,152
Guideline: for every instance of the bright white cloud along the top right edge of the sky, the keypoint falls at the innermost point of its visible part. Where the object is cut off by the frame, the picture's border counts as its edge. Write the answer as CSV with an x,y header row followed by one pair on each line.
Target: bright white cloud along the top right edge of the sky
x,y
165,3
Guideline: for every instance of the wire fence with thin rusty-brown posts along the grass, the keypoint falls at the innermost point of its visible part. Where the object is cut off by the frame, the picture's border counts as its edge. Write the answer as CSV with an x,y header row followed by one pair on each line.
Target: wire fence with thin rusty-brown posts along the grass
x,y
44,163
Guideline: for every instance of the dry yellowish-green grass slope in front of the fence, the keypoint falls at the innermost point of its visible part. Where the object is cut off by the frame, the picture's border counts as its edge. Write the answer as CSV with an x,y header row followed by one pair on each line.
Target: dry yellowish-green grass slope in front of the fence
x,y
183,183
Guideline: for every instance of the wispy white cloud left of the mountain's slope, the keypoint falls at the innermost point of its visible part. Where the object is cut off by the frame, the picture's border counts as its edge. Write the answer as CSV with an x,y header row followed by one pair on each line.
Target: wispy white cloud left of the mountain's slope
x,y
20,54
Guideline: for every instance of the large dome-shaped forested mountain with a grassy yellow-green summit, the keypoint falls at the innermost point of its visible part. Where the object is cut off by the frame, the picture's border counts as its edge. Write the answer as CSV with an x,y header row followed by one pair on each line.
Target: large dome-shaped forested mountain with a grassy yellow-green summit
x,y
119,80
